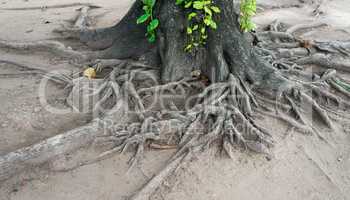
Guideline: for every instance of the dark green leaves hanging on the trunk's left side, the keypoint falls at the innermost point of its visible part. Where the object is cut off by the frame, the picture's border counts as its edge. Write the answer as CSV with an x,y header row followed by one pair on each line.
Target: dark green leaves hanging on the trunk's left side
x,y
147,18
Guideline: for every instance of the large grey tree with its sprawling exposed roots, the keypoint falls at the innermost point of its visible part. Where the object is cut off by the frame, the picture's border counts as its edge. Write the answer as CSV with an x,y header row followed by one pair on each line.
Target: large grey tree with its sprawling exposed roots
x,y
239,74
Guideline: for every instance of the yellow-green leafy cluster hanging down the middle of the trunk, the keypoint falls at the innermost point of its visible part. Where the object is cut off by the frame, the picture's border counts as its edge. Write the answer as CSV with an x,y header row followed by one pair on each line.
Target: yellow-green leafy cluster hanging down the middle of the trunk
x,y
199,19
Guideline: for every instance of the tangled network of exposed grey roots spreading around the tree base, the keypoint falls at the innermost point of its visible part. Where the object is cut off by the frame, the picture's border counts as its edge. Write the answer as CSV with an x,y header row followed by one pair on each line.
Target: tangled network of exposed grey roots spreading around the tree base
x,y
222,113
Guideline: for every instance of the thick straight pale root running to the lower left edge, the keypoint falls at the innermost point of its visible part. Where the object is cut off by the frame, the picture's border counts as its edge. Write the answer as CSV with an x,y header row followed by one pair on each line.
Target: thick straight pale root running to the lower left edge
x,y
67,142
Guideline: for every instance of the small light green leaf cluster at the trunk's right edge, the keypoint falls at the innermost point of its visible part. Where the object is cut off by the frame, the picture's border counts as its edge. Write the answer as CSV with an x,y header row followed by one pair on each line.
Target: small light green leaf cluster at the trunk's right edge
x,y
248,10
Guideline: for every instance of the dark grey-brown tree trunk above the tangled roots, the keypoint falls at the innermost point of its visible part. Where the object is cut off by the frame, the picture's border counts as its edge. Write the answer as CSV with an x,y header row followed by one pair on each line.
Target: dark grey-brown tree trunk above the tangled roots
x,y
227,50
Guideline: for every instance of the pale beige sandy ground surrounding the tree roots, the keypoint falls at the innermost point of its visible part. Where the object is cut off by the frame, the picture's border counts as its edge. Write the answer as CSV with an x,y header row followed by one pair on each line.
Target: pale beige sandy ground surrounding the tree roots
x,y
303,167
